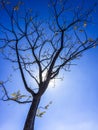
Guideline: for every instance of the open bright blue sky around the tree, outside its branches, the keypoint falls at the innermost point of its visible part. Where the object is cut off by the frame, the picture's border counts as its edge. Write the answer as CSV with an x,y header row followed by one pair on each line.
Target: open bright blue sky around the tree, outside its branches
x,y
74,100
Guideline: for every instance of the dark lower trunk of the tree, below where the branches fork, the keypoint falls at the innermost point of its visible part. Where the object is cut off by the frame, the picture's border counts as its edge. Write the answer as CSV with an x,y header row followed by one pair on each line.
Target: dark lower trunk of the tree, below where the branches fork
x,y
29,124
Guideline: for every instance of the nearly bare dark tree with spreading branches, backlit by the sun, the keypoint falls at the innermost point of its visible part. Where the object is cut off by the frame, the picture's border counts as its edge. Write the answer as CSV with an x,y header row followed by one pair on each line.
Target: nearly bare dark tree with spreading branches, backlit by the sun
x,y
38,48
